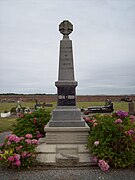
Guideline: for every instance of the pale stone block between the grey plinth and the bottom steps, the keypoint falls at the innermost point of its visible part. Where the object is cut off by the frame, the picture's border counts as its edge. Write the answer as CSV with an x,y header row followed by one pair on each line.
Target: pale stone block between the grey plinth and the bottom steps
x,y
69,135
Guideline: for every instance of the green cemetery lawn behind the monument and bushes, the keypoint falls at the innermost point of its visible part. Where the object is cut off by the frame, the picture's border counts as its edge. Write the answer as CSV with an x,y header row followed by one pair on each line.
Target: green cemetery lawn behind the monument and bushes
x,y
8,123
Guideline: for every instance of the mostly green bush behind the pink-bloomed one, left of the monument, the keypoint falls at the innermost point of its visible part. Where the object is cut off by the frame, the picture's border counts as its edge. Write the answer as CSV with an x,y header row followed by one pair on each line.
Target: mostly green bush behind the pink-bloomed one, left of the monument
x,y
32,123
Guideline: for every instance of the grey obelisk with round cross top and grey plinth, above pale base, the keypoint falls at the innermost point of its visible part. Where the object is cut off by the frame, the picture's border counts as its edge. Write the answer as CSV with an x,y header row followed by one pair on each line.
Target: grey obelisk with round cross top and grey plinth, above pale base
x,y
66,114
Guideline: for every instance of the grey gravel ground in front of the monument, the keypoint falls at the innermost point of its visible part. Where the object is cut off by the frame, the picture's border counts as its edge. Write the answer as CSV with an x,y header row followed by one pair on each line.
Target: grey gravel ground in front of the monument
x,y
68,173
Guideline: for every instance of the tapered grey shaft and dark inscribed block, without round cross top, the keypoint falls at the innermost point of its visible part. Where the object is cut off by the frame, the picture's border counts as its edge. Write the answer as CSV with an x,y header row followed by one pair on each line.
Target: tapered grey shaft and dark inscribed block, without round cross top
x,y
66,84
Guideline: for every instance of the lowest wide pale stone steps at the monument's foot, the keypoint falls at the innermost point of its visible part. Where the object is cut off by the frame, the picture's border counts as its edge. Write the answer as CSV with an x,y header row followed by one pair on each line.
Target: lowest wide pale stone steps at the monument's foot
x,y
64,154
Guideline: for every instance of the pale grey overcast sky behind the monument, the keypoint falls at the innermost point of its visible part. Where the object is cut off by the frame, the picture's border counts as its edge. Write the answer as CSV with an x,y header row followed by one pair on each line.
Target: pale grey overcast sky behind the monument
x,y
103,45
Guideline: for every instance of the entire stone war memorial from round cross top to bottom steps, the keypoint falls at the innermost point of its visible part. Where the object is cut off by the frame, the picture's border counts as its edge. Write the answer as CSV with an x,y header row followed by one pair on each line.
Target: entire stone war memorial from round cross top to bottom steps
x,y
66,133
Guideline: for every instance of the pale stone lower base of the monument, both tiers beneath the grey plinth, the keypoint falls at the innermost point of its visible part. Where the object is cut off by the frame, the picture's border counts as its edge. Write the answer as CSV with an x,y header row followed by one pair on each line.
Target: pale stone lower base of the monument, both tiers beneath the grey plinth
x,y
64,146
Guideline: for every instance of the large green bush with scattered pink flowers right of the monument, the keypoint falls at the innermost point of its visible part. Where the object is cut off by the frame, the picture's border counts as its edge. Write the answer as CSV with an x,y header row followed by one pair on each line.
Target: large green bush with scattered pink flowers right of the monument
x,y
112,139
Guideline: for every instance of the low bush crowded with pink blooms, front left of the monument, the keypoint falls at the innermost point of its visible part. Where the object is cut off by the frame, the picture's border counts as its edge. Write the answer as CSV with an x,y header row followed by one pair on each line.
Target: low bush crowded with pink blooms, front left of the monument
x,y
17,151
